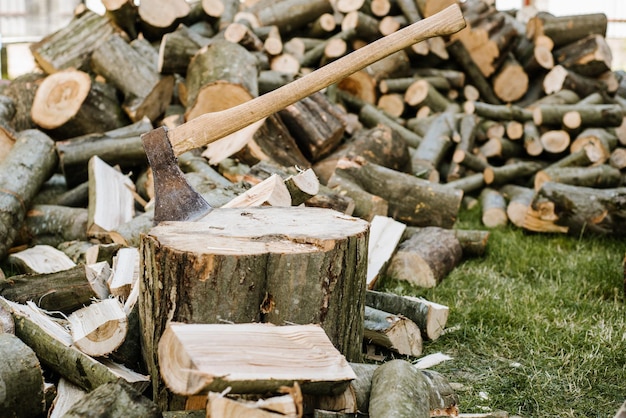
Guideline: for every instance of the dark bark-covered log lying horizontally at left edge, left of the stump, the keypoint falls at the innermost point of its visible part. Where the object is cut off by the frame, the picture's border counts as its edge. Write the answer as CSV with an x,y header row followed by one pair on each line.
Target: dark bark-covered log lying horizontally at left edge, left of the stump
x,y
63,291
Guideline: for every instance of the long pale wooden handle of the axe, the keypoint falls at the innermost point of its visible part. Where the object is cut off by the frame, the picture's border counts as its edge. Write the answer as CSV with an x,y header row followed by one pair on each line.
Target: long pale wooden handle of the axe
x,y
210,127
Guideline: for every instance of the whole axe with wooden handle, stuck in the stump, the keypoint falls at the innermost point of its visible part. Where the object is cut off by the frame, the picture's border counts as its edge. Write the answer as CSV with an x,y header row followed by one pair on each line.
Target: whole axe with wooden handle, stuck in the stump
x,y
175,199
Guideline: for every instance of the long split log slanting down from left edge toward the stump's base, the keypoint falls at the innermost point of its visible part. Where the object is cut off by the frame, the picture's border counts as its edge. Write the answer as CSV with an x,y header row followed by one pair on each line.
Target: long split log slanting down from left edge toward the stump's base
x,y
53,346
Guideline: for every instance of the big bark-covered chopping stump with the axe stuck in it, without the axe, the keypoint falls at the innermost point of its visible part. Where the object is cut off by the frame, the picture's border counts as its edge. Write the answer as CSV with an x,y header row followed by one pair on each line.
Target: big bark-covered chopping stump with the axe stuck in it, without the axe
x,y
268,264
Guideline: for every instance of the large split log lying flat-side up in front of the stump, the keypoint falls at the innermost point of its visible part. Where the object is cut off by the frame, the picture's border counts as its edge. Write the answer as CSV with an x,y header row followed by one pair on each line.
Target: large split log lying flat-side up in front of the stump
x,y
198,358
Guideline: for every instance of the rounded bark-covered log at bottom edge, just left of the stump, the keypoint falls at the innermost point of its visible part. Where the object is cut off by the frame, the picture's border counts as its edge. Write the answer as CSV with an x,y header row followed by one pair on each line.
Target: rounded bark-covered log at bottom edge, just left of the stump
x,y
116,399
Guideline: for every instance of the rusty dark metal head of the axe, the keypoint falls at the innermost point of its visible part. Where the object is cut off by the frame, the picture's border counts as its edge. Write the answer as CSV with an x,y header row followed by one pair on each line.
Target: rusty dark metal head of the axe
x,y
175,200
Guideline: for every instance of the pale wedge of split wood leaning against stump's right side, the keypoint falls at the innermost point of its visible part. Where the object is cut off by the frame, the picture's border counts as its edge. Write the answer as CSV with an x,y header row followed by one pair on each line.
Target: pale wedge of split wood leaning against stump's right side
x,y
385,234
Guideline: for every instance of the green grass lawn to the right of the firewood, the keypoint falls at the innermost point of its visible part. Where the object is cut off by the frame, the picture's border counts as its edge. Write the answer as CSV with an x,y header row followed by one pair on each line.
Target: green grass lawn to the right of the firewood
x,y
537,325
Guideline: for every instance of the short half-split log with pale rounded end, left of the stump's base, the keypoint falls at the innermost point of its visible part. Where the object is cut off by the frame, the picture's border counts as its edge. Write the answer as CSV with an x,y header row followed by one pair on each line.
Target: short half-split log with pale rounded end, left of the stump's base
x,y
99,328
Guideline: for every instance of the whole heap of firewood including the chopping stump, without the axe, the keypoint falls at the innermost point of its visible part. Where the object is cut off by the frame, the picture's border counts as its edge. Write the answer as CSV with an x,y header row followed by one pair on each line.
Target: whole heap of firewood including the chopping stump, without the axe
x,y
519,112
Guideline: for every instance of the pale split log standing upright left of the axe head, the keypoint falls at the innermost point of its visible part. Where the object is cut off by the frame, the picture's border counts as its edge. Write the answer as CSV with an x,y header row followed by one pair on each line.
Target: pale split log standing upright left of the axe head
x,y
111,202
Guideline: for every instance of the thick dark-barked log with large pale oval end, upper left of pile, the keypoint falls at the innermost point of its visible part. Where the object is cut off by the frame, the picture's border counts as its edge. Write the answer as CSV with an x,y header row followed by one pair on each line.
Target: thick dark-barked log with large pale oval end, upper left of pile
x,y
69,103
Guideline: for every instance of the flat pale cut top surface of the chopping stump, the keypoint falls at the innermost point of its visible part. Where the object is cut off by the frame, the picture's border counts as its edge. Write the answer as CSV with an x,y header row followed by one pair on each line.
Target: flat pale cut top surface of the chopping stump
x,y
261,230
